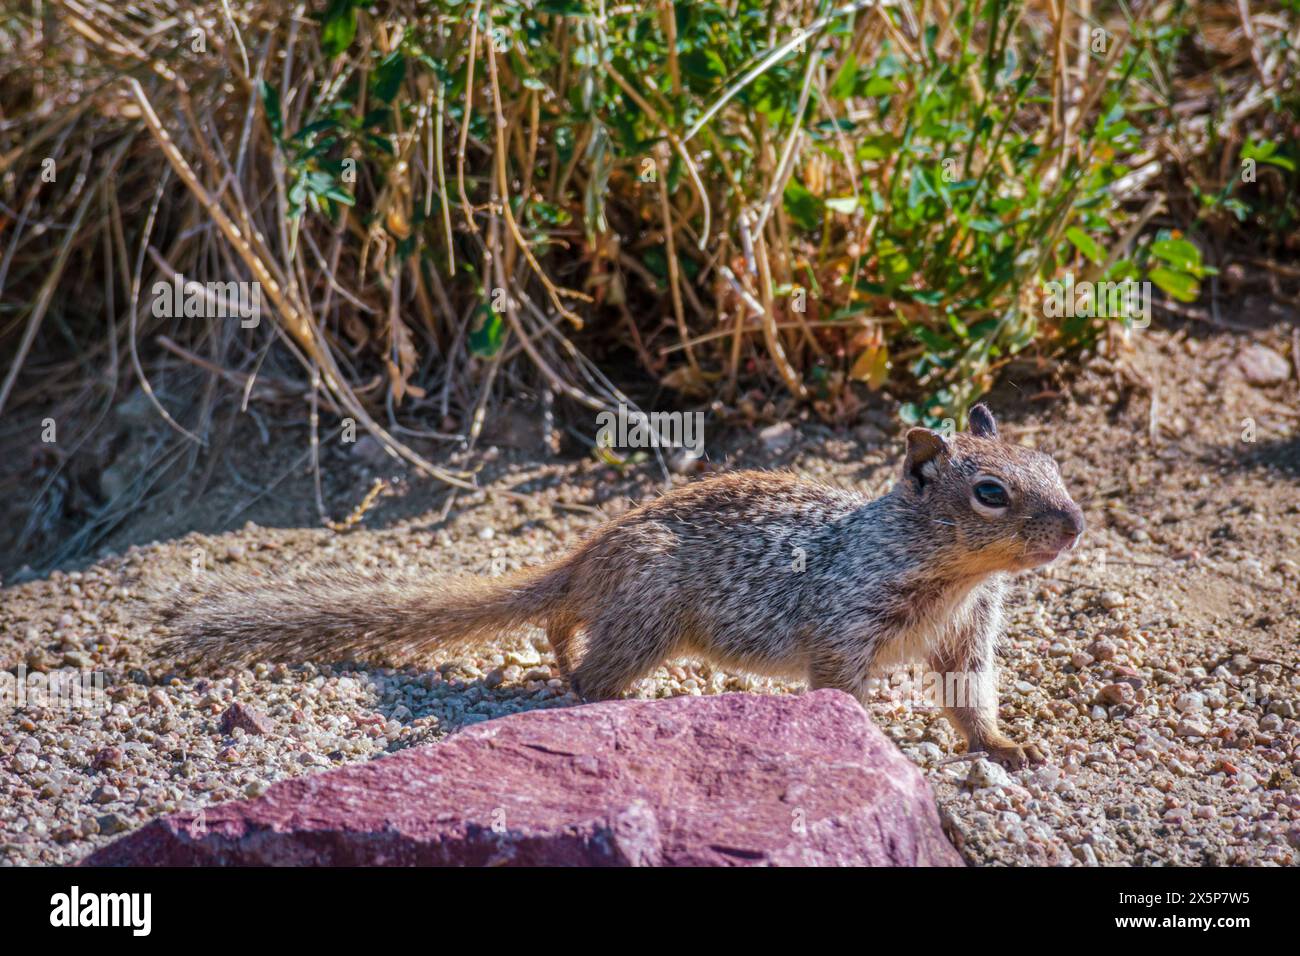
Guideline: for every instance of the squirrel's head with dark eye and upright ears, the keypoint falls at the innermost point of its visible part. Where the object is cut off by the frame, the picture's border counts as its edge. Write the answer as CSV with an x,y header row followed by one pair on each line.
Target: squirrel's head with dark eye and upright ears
x,y
1006,504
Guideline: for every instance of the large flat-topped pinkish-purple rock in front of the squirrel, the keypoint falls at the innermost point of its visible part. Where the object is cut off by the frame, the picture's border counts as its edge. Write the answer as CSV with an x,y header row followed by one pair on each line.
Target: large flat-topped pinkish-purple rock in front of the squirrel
x,y
734,780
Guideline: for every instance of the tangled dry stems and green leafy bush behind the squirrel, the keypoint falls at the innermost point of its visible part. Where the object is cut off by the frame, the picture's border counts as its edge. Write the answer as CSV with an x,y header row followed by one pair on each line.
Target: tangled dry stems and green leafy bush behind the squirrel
x,y
747,198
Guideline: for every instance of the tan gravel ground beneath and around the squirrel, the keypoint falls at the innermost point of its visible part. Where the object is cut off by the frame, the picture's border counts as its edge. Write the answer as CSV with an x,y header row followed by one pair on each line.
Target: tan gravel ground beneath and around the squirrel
x,y
1158,663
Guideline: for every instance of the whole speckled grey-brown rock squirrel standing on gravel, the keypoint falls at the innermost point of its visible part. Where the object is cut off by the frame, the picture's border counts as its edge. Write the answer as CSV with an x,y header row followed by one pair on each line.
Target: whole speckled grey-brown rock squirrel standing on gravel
x,y
756,572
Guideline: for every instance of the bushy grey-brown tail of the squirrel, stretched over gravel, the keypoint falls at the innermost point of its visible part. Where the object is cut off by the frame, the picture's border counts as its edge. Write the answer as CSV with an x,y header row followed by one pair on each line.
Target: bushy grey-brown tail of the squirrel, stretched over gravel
x,y
336,616
